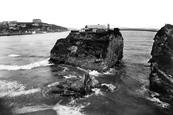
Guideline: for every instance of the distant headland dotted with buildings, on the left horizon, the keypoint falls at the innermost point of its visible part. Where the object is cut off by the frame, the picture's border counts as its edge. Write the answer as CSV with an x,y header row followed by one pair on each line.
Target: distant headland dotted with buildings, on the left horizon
x,y
8,28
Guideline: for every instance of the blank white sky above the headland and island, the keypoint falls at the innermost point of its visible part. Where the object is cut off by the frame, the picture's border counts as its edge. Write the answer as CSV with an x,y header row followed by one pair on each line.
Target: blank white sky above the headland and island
x,y
78,13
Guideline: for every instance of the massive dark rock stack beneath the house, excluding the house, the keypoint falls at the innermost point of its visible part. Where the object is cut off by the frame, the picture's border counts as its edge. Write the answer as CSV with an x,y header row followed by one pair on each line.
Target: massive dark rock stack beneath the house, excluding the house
x,y
89,50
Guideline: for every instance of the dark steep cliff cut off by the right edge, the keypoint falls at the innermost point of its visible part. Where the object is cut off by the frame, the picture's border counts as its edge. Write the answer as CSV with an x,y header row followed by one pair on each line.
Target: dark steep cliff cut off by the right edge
x,y
161,77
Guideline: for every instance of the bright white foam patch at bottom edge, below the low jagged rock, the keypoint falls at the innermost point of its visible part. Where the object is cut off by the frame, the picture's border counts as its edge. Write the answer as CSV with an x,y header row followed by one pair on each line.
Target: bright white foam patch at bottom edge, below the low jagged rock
x,y
68,110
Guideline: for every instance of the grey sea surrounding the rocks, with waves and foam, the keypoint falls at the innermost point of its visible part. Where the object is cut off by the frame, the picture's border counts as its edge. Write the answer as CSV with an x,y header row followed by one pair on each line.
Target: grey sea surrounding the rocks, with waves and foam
x,y
26,76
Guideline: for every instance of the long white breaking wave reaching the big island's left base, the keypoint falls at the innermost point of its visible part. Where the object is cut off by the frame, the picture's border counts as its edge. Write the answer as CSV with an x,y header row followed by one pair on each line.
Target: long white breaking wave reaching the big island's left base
x,y
25,67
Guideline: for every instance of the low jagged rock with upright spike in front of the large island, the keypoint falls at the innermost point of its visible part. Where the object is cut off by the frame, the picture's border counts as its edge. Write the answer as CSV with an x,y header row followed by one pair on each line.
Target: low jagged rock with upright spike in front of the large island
x,y
76,87
